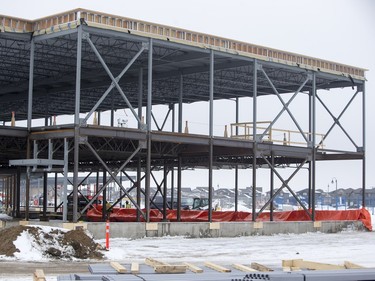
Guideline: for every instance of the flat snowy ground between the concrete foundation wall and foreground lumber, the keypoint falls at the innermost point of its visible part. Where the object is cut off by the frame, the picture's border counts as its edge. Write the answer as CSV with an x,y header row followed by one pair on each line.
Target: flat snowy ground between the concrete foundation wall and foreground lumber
x,y
357,247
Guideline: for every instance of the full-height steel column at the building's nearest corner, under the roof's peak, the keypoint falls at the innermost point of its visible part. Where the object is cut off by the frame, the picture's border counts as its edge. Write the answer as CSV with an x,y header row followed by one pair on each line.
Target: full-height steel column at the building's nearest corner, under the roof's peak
x,y
77,123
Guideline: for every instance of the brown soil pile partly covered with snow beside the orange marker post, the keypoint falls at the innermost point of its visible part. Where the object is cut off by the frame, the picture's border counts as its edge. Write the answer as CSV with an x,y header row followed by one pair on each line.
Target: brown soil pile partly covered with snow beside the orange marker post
x,y
57,244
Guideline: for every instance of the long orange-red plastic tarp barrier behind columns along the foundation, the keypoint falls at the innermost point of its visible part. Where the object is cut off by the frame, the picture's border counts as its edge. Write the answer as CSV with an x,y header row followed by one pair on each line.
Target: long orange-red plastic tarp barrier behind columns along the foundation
x,y
130,215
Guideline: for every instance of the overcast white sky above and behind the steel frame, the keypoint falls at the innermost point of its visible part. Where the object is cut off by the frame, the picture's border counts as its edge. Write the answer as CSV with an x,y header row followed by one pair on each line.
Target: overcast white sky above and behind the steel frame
x,y
338,30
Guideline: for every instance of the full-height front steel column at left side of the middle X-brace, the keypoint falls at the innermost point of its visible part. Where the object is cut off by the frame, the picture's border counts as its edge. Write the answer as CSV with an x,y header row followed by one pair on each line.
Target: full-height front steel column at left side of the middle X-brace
x,y
255,139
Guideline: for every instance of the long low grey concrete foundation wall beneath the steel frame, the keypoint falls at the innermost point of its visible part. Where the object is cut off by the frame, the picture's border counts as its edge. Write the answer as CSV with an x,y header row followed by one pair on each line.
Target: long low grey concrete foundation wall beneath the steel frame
x,y
135,230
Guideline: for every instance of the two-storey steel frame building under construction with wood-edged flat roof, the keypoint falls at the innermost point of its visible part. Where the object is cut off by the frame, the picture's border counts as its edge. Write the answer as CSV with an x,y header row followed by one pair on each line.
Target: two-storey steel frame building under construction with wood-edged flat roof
x,y
82,63
